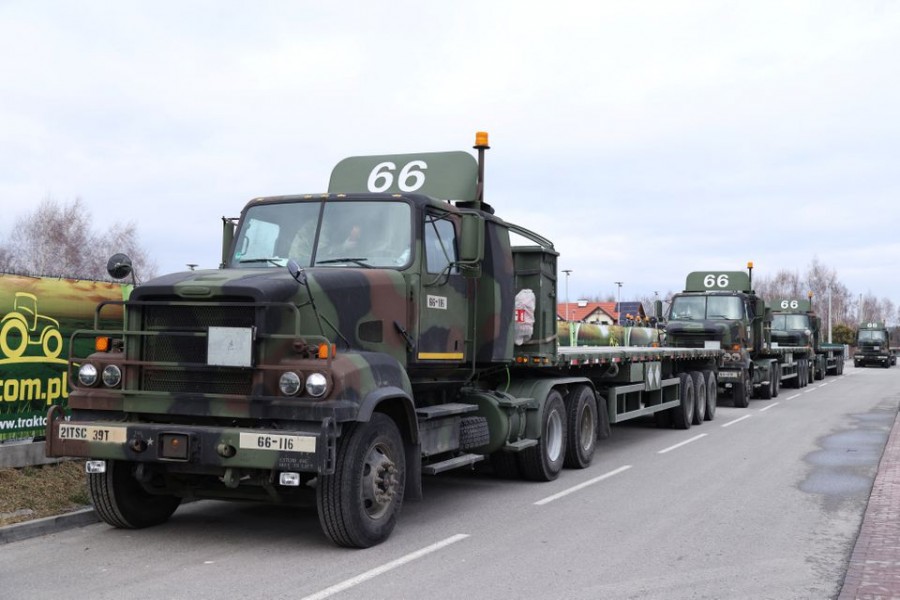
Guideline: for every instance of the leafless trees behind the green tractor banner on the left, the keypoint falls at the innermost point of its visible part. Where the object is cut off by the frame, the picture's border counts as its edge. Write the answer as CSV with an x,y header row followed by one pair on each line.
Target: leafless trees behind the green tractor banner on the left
x,y
57,240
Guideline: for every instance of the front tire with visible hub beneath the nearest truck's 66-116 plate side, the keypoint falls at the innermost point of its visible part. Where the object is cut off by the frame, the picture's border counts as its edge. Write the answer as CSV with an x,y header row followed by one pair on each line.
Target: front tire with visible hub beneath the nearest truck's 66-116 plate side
x,y
359,504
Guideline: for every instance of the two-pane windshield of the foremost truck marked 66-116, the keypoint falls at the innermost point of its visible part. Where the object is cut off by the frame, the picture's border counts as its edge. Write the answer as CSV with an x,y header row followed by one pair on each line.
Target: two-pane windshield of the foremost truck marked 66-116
x,y
343,233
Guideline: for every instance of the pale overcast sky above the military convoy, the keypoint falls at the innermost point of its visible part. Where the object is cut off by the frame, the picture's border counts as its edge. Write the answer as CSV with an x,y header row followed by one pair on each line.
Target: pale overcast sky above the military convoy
x,y
645,139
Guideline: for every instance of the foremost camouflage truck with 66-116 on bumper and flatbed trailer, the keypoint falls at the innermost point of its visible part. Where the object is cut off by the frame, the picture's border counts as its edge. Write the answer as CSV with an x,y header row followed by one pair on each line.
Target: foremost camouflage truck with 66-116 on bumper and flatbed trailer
x,y
351,343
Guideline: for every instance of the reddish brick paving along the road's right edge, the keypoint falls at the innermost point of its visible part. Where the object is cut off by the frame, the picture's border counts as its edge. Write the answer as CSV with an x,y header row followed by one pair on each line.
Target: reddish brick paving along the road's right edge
x,y
874,570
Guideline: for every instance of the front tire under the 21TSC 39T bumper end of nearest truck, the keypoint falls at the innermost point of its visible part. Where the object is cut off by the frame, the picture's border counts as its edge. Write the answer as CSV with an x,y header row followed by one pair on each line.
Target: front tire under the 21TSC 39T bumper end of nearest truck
x,y
120,499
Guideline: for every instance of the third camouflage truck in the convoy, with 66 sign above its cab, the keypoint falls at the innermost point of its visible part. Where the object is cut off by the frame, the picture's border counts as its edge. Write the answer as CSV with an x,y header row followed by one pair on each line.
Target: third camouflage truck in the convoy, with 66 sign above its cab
x,y
796,325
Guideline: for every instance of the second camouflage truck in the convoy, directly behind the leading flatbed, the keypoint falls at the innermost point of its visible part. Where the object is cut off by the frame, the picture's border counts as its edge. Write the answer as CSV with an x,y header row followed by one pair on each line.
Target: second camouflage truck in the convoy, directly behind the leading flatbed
x,y
720,310
